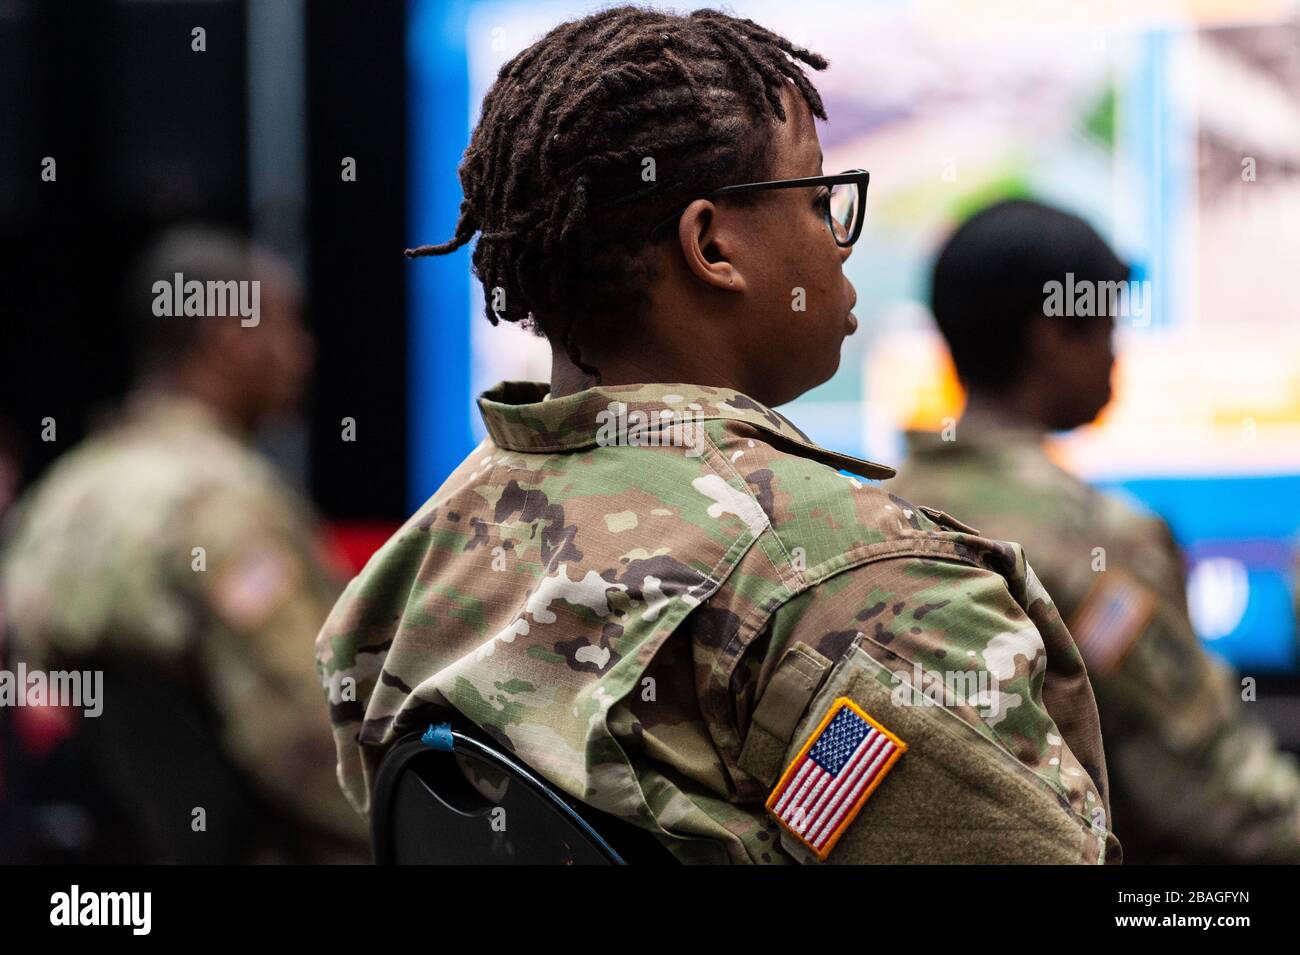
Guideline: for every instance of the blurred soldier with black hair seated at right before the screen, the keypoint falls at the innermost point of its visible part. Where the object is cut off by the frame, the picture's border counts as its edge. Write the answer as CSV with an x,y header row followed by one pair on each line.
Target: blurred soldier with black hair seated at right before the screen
x,y
1191,779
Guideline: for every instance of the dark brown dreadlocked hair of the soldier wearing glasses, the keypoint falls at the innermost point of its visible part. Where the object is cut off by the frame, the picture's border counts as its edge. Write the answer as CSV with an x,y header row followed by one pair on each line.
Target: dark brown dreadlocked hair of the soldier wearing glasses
x,y
553,177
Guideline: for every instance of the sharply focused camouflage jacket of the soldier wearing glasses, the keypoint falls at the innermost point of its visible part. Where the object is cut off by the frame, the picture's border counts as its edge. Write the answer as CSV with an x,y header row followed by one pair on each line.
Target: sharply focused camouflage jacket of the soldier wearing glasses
x,y
657,594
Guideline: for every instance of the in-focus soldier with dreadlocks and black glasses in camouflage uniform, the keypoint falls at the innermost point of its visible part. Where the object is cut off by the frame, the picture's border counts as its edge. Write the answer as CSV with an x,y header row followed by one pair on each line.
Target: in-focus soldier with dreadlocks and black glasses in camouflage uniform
x,y
645,583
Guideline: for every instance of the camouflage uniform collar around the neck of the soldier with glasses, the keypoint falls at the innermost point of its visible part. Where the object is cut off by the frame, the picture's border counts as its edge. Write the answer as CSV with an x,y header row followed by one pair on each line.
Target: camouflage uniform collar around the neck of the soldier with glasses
x,y
522,416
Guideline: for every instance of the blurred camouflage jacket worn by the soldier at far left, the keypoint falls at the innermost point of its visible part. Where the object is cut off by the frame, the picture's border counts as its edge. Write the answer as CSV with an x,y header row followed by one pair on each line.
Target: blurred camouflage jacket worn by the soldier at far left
x,y
166,539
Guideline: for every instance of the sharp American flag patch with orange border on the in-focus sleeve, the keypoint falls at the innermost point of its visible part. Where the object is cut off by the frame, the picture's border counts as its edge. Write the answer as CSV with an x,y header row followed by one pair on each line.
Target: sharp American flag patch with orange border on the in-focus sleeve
x,y
835,774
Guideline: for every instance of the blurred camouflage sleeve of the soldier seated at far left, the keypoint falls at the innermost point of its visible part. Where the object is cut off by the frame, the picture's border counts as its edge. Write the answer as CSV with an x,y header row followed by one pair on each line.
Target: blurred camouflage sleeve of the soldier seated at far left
x,y
265,584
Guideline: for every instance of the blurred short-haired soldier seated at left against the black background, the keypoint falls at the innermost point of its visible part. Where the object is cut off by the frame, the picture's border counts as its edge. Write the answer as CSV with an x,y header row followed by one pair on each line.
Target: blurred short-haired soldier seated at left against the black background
x,y
170,554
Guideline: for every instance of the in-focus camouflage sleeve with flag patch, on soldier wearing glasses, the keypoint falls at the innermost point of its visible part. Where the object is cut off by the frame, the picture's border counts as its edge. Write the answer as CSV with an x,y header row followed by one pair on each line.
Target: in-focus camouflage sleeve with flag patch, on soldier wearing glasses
x,y
986,733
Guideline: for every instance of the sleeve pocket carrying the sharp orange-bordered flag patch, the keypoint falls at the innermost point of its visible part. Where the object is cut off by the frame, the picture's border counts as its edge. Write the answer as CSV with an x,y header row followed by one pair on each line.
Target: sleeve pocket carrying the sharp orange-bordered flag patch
x,y
870,780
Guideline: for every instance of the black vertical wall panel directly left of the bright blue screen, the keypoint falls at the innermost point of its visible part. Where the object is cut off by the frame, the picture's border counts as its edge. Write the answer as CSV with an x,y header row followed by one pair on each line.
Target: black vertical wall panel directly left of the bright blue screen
x,y
357,107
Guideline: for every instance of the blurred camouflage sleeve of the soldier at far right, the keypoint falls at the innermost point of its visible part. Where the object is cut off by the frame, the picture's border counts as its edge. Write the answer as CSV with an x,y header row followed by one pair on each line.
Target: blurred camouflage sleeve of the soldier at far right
x,y
1194,771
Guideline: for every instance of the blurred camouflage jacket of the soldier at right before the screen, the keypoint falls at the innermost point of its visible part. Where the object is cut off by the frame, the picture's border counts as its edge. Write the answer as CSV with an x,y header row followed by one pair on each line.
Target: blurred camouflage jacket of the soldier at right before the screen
x,y
1191,778
